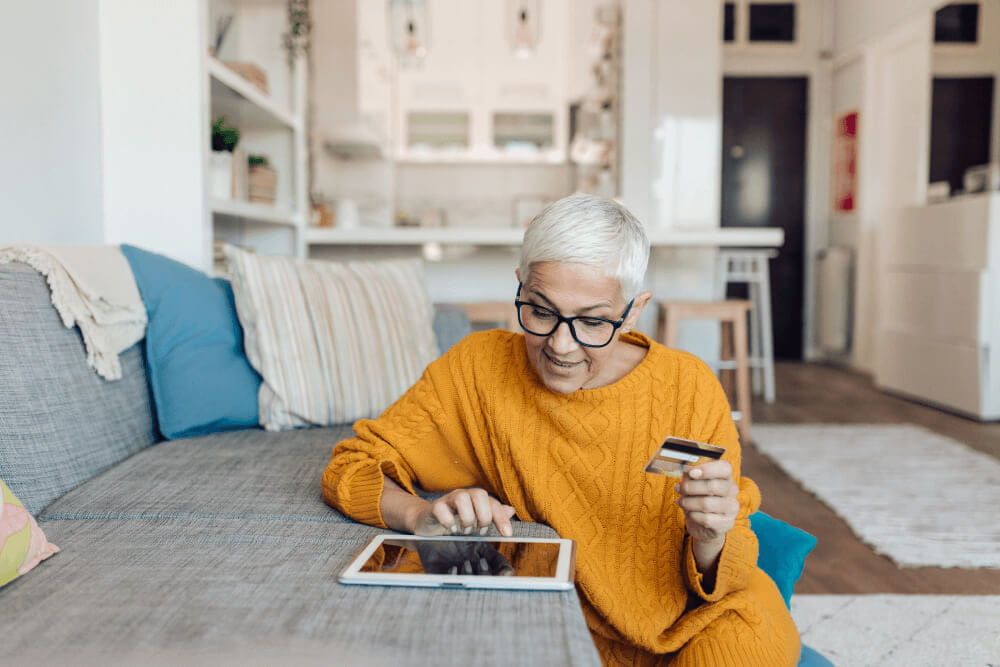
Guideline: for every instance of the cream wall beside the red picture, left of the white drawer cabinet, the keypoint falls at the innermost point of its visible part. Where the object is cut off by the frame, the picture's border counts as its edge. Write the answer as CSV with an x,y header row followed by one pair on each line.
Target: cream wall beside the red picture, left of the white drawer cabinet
x,y
884,72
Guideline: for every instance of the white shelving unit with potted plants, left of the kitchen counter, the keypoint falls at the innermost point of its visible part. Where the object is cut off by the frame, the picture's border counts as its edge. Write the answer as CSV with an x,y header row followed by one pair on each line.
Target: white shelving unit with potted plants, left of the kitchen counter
x,y
271,124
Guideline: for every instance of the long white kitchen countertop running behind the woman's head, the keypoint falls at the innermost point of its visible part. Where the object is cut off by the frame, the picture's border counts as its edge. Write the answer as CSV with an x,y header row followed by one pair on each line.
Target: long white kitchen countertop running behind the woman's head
x,y
765,237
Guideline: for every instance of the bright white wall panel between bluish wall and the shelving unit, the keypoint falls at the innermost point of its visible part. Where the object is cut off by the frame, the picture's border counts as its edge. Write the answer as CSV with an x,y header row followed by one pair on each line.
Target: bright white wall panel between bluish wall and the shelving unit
x,y
153,181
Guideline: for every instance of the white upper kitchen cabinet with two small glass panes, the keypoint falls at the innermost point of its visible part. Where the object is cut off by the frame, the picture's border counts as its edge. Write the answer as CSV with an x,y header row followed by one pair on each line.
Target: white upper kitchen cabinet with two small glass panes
x,y
471,98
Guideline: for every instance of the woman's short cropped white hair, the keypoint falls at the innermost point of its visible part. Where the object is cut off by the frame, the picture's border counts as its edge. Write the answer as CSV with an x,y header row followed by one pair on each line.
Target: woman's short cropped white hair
x,y
590,230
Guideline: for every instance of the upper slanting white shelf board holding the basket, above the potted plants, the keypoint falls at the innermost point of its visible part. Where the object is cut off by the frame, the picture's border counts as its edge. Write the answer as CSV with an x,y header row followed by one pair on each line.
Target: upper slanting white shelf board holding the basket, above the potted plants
x,y
243,104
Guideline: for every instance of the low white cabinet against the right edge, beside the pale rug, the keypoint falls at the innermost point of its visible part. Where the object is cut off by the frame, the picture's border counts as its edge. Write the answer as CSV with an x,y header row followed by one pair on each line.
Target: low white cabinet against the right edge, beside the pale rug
x,y
939,329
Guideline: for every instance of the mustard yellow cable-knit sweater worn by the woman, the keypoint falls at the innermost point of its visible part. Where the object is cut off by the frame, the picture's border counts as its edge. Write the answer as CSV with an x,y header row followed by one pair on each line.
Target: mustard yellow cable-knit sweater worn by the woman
x,y
479,417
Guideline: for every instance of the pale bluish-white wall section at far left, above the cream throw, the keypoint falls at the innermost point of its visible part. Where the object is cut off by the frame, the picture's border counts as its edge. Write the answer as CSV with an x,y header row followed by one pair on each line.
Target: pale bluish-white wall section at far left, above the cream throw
x,y
50,124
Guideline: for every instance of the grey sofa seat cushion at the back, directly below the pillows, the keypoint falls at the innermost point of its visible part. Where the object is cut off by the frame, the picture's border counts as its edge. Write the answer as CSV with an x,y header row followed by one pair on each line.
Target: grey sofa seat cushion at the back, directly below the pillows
x,y
244,474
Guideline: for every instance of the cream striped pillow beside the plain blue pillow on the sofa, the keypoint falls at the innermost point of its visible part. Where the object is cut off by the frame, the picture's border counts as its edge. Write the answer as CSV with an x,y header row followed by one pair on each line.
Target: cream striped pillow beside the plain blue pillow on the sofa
x,y
333,341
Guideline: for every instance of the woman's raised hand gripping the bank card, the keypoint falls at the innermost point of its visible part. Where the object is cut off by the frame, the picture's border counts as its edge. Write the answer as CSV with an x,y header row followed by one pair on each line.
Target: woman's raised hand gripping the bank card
x,y
708,498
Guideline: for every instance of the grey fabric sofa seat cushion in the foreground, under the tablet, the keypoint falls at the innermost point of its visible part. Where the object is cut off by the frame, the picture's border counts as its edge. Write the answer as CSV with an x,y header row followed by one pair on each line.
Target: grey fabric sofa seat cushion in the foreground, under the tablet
x,y
200,589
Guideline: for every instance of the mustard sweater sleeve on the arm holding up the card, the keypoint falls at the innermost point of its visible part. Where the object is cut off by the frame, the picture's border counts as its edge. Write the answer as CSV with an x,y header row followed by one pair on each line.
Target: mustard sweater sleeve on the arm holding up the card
x,y
739,554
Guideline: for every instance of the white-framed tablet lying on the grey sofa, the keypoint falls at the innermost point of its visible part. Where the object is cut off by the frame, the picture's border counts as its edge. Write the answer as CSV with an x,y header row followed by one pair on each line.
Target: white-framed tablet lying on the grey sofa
x,y
513,563
